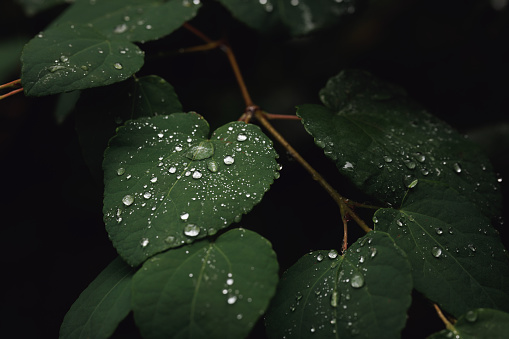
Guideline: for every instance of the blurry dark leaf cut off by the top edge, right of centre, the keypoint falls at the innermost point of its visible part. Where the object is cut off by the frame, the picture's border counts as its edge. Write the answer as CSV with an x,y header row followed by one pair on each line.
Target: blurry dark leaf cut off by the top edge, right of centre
x,y
299,16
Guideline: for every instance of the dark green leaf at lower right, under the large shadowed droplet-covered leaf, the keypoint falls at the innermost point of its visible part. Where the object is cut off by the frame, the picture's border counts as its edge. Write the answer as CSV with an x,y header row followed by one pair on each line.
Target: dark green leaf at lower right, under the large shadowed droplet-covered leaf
x,y
457,258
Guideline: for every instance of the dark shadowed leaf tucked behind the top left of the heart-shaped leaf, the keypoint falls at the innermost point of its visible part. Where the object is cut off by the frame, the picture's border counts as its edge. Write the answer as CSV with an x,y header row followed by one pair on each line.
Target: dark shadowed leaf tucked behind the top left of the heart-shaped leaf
x,y
101,110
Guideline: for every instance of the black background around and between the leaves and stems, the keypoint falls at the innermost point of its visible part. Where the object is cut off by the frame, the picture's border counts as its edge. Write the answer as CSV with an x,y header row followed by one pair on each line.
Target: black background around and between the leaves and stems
x,y
452,56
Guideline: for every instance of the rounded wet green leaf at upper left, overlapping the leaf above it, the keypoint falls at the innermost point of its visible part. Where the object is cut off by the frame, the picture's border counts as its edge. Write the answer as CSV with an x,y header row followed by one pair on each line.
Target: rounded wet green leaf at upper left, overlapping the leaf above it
x,y
71,57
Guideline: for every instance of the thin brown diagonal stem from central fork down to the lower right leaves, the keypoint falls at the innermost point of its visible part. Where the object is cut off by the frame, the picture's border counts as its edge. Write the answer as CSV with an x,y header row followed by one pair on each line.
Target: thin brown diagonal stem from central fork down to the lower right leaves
x,y
342,202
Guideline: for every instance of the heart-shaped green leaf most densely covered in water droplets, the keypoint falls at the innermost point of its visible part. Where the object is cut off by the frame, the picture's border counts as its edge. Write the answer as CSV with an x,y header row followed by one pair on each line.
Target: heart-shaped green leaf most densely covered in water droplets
x,y
167,184
